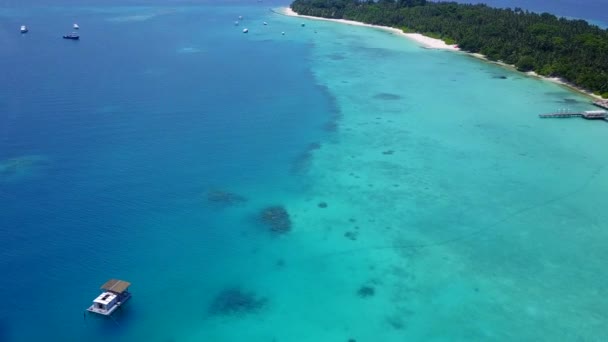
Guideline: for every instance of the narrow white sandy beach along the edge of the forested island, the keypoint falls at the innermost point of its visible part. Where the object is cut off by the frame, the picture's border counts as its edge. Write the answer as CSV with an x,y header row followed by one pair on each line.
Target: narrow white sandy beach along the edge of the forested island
x,y
438,44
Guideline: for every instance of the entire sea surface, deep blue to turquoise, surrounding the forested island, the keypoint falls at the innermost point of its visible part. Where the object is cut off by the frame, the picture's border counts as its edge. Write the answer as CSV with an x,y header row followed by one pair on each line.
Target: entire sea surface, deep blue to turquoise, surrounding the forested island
x,y
452,212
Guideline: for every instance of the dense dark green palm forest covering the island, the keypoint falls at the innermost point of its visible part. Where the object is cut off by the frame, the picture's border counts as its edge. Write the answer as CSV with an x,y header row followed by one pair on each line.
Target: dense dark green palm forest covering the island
x,y
571,49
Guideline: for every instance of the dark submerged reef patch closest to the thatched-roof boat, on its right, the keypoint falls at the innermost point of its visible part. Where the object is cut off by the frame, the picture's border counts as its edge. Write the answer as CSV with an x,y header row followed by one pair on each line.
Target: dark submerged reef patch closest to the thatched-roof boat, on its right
x,y
234,301
